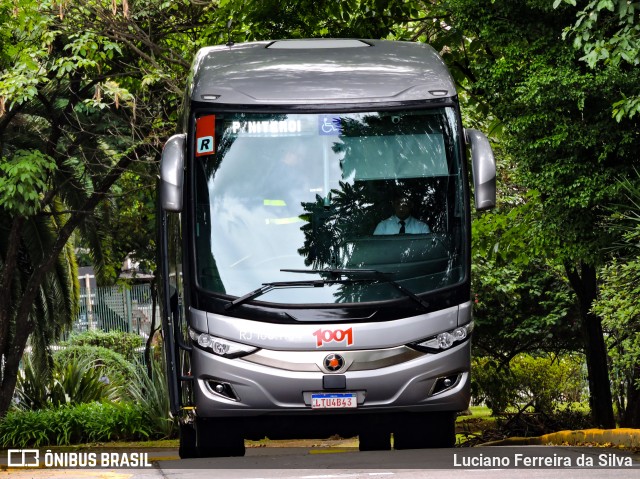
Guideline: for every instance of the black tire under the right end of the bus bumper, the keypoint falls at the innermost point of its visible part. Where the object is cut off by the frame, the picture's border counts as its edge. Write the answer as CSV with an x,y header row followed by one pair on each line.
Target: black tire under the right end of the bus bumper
x,y
425,431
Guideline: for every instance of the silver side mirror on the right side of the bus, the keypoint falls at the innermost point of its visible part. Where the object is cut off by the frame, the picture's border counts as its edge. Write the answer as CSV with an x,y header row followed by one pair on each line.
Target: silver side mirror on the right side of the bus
x,y
483,167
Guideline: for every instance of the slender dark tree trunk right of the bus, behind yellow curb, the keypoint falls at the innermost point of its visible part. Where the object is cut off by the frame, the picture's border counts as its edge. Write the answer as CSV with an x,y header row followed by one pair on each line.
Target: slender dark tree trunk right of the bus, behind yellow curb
x,y
584,284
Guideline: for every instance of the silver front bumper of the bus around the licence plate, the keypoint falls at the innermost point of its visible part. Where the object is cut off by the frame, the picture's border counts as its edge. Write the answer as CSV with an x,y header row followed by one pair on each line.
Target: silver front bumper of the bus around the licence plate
x,y
274,383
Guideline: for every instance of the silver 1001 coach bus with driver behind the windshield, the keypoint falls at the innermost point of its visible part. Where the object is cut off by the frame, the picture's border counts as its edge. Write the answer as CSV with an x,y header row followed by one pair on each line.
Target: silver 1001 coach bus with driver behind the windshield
x,y
314,246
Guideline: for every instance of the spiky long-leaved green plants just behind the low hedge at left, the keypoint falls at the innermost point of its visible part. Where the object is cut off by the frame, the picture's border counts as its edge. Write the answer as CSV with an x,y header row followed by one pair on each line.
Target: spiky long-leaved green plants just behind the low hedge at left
x,y
74,382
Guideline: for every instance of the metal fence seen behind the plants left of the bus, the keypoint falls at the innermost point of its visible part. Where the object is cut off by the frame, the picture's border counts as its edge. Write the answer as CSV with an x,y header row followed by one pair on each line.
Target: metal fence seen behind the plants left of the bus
x,y
119,308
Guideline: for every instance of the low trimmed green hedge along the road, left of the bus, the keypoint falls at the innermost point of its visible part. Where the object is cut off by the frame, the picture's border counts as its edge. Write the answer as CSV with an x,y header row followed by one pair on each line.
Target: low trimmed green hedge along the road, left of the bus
x,y
73,424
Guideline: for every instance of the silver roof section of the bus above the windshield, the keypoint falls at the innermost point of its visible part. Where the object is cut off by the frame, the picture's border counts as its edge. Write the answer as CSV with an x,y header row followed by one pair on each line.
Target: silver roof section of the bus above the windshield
x,y
319,71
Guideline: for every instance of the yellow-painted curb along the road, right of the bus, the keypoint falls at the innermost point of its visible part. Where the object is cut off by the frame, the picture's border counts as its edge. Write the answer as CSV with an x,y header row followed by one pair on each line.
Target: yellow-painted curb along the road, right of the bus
x,y
617,437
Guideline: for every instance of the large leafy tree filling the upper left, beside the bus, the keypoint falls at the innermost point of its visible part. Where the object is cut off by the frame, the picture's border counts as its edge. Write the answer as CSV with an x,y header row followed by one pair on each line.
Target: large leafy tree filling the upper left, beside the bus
x,y
87,91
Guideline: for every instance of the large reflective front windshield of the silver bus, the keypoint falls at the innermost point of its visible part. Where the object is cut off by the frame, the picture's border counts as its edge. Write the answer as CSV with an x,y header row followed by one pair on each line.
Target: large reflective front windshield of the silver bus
x,y
378,191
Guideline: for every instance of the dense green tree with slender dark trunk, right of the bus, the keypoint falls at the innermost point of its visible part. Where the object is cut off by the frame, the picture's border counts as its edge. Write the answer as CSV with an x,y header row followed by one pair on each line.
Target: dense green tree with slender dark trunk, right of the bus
x,y
560,133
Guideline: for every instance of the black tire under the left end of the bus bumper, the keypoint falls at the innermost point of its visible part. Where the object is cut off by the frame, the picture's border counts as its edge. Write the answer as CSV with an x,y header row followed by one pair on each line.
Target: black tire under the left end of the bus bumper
x,y
218,437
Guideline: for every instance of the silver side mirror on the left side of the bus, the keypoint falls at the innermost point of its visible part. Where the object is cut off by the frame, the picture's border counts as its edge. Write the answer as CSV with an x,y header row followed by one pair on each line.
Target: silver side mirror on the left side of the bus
x,y
172,173
